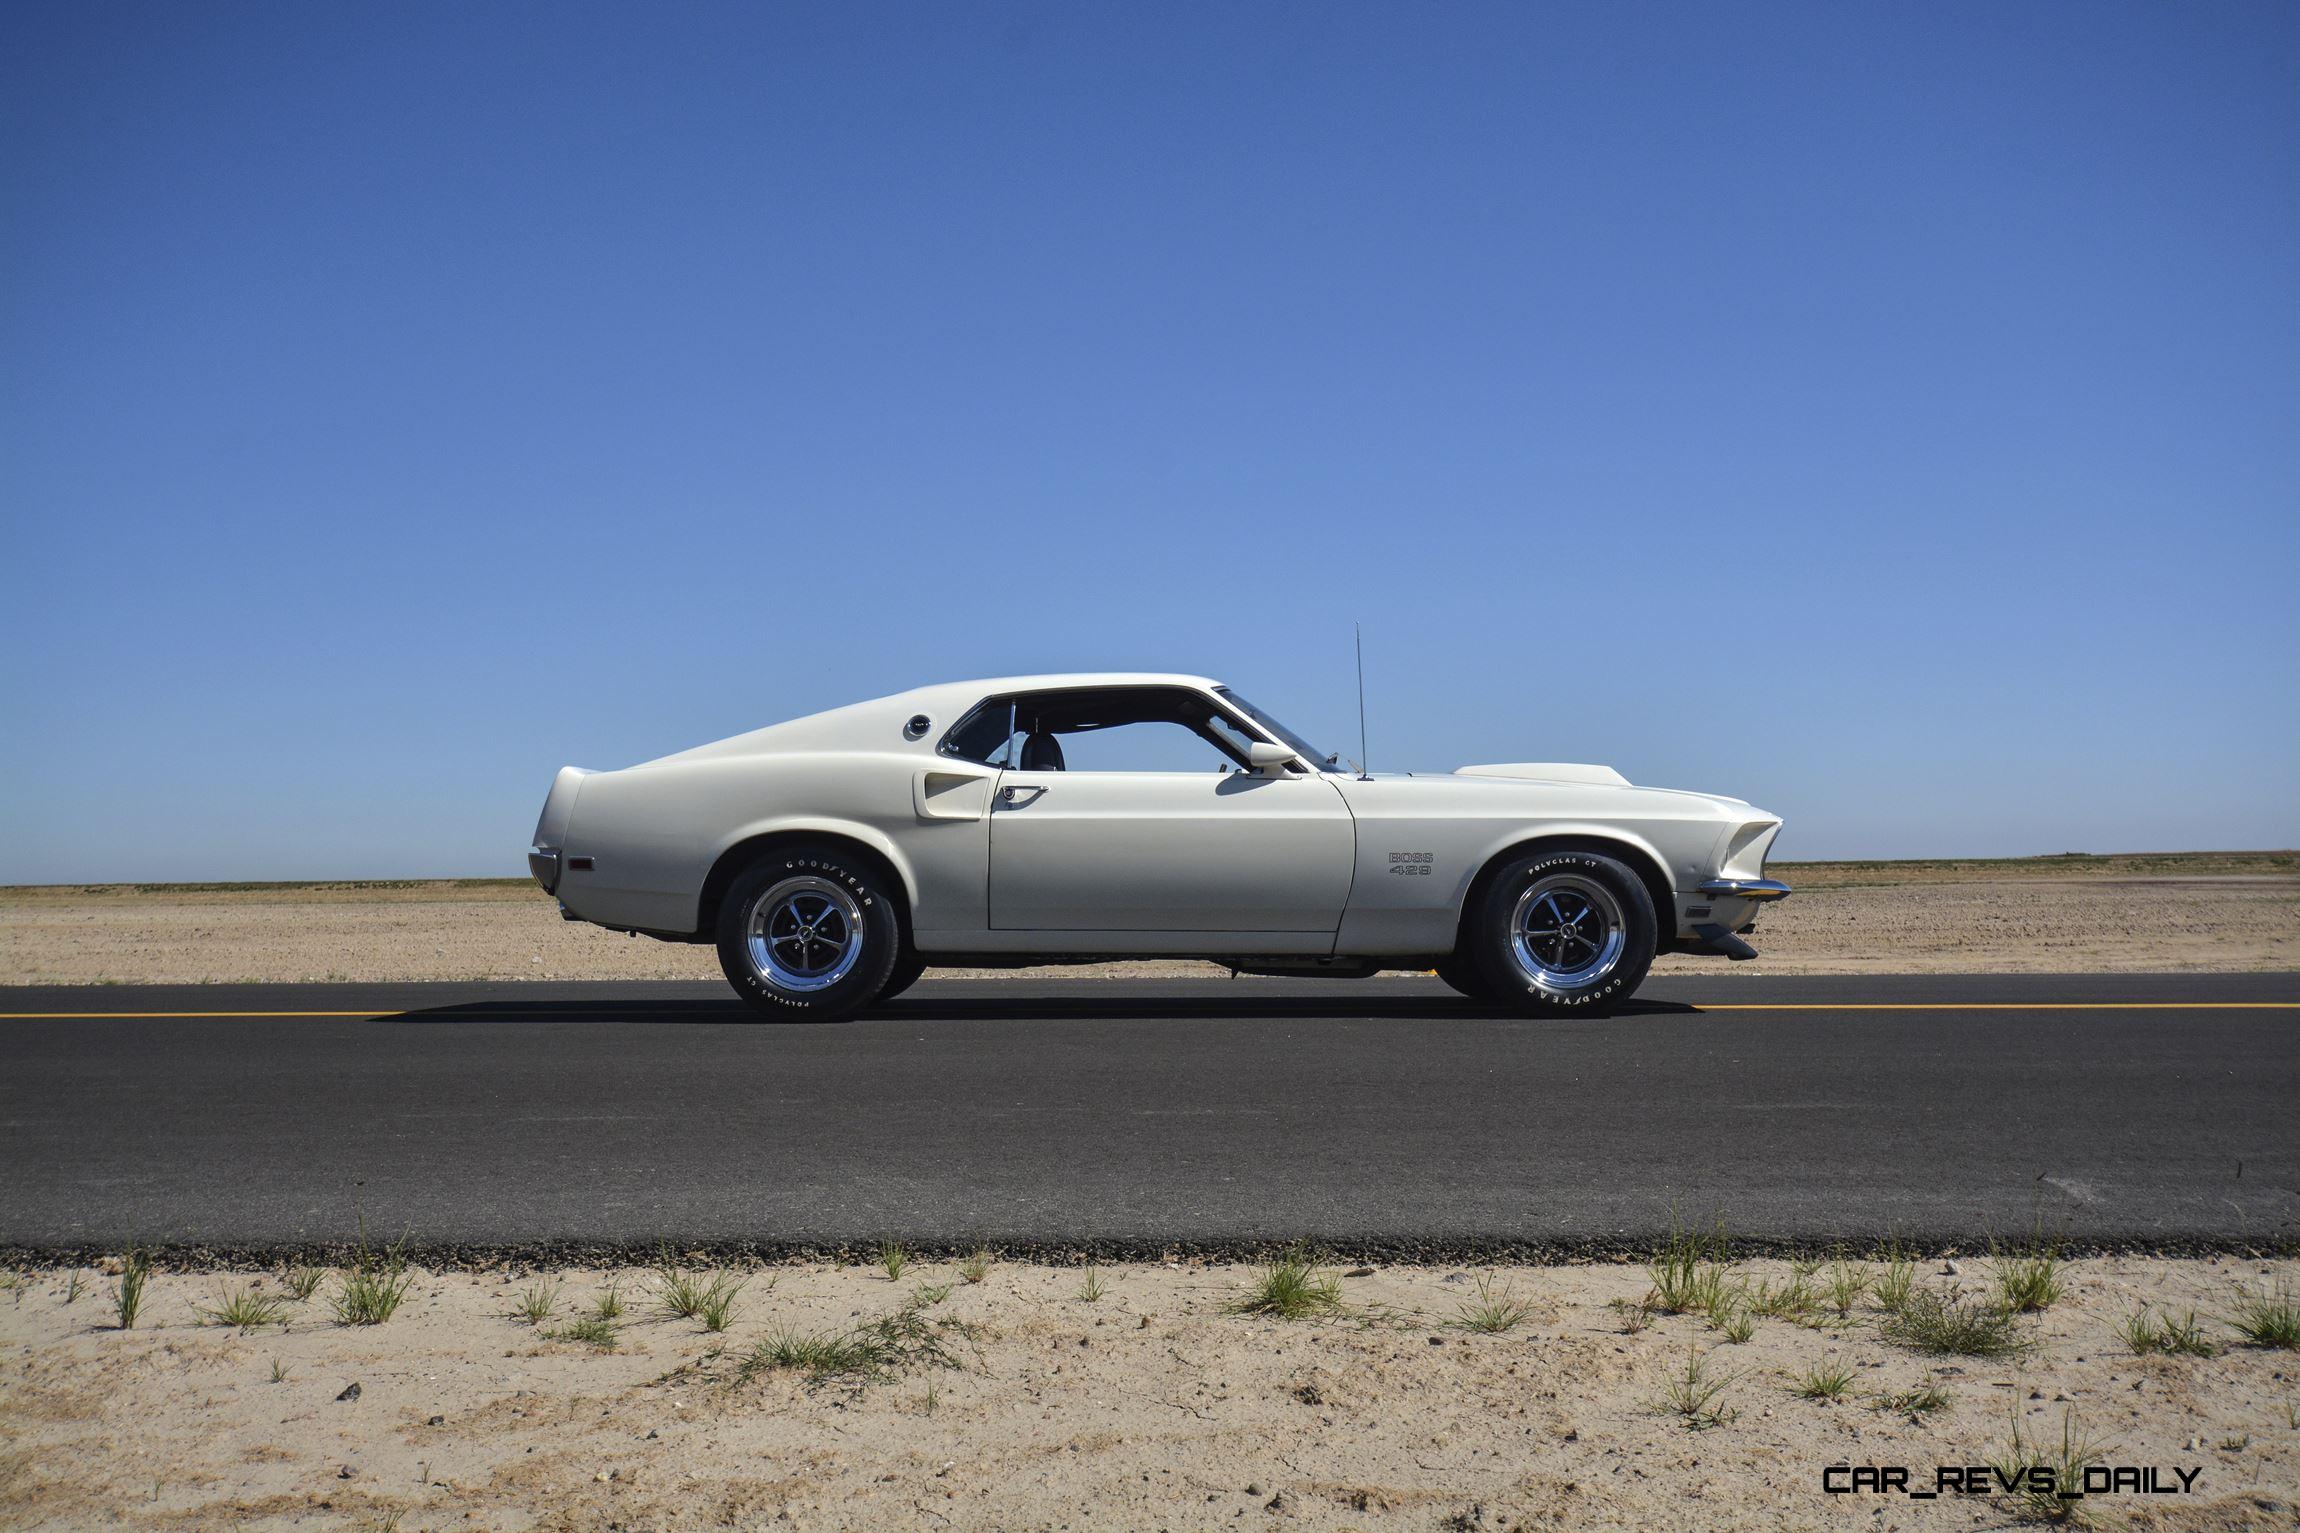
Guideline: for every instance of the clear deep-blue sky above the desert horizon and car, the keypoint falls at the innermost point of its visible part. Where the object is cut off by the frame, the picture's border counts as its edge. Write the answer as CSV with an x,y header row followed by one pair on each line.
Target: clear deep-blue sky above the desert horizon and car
x,y
1889,415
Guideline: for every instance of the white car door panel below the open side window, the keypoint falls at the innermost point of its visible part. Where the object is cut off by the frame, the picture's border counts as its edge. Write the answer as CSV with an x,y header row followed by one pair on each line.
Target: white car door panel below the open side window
x,y
1170,852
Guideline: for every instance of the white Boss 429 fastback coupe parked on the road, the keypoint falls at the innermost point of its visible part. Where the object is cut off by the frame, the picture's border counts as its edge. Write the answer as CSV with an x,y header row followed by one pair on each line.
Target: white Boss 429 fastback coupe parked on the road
x,y
1050,819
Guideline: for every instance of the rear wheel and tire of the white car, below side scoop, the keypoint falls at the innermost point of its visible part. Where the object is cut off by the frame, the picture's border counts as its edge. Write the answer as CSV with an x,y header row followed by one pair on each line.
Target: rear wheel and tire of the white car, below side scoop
x,y
808,934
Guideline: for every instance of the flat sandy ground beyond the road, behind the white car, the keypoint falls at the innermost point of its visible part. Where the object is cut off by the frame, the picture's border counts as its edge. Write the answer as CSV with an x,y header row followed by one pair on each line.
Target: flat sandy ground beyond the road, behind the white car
x,y
2041,916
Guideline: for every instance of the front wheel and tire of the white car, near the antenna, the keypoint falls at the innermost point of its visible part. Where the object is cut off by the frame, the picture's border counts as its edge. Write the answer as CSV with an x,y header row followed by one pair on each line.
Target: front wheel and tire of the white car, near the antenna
x,y
1563,934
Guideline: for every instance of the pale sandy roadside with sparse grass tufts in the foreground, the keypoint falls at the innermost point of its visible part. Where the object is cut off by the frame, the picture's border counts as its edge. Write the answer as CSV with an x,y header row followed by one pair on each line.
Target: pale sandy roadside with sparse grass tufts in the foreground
x,y
1153,1408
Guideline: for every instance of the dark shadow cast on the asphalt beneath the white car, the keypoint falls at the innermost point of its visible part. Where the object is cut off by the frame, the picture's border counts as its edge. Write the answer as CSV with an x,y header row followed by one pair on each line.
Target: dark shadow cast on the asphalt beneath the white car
x,y
1013,1010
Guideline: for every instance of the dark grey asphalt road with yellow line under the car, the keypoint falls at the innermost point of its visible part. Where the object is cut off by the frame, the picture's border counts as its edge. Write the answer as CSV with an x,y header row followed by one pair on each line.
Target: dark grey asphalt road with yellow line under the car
x,y
1372,1116
